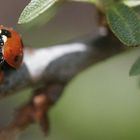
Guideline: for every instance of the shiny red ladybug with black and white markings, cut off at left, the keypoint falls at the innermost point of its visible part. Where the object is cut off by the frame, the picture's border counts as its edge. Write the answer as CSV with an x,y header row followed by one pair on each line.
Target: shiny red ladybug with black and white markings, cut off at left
x,y
11,47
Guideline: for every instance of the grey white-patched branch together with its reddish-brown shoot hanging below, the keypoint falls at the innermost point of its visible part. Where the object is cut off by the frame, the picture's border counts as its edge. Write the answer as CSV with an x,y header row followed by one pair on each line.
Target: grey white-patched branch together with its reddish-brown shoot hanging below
x,y
48,70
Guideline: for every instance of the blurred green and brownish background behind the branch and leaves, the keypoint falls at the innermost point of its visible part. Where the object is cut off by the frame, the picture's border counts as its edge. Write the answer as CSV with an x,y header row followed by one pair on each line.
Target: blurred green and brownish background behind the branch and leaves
x,y
101,103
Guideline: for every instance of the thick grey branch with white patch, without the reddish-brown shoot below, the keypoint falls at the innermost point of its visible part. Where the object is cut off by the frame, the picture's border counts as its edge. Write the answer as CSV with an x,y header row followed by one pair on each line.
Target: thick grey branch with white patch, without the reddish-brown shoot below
x,y
58,63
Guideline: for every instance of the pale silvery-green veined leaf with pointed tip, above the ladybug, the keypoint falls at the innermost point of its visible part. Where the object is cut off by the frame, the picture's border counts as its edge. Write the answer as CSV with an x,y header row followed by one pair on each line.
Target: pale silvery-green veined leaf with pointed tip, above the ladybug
x,y
37,7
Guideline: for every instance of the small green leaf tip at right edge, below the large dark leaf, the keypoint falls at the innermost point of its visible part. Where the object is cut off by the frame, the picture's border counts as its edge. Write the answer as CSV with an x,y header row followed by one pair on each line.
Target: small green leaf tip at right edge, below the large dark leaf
x,y
135,69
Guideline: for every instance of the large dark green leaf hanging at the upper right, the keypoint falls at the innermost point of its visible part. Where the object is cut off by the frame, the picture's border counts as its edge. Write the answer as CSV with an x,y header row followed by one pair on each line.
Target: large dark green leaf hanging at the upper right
x,y
125,24
